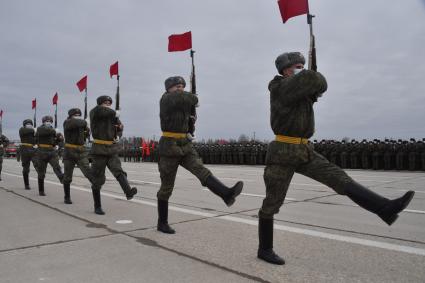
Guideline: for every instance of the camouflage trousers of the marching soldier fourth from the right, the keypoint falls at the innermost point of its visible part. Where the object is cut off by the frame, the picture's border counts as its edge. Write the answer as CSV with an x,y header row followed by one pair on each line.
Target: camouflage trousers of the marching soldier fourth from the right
x,y
79,157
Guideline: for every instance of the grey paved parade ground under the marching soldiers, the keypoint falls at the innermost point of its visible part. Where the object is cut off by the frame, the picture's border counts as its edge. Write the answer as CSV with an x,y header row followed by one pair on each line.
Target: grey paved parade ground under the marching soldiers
x,y
323,237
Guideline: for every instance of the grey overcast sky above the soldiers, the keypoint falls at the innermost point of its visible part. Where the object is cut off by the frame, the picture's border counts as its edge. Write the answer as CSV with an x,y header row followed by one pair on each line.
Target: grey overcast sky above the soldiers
x,y
371,52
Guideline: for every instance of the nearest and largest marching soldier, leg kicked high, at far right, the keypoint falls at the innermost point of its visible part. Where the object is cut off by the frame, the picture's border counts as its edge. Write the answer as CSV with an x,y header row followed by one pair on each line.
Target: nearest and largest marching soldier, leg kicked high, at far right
x,y
292,95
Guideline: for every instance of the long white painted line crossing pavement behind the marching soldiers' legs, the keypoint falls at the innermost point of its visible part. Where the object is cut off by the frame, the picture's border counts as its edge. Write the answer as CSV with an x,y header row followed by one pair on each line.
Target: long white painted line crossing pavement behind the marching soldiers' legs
x,y
313,233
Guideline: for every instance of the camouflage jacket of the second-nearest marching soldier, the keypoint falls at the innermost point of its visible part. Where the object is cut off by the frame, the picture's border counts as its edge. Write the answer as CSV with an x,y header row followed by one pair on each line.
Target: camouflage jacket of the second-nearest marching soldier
x,y
175,110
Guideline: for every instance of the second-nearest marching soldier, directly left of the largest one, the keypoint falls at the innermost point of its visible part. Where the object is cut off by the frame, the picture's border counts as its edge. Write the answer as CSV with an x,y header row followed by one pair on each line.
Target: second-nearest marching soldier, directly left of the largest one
x,y
175,148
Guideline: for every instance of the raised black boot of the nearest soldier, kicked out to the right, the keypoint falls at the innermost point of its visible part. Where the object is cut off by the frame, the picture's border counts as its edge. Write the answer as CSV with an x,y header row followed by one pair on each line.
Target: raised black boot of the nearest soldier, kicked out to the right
x,y
386,209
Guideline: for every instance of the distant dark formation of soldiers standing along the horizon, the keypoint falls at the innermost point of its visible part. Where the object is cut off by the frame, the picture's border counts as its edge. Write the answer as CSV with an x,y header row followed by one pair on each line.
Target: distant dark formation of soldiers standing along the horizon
x,y
385,154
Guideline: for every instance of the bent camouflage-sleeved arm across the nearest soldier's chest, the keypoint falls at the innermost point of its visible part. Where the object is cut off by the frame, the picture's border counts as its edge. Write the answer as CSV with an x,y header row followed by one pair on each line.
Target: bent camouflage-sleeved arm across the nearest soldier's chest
x,y
303,85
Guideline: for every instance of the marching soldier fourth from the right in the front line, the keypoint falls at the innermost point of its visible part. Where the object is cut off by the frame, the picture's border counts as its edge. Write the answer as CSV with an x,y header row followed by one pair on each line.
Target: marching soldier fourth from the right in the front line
x,y
76,132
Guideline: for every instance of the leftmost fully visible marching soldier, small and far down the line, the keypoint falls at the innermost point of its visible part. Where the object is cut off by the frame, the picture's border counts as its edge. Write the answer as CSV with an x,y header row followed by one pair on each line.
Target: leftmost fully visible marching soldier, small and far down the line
x,y
27,150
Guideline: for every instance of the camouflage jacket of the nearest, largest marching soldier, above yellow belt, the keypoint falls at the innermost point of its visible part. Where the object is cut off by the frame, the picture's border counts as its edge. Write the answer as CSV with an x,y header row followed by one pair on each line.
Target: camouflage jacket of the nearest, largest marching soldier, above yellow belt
x,y
291,103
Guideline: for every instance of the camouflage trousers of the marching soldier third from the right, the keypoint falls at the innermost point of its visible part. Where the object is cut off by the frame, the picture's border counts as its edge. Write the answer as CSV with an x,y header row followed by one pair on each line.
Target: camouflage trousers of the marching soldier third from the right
x,y
99,164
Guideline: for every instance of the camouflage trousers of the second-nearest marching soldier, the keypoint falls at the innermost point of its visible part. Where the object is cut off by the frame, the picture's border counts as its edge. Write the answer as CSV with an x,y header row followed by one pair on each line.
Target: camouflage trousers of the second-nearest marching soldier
x,y
171,156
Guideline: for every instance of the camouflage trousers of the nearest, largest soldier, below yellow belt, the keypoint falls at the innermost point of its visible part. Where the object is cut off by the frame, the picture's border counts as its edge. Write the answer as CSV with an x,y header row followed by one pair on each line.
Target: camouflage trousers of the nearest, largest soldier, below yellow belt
x,y
283,160
